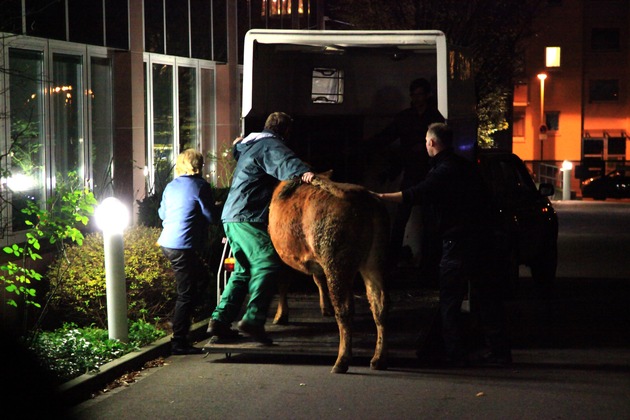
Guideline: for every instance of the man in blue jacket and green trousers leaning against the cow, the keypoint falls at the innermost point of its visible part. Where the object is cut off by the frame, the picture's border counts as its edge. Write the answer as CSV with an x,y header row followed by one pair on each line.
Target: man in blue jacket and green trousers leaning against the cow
x,y
262,160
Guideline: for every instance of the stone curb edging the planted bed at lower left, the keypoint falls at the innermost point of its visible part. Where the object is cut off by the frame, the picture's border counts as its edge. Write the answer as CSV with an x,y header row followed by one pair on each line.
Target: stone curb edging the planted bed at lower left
x,y
81,388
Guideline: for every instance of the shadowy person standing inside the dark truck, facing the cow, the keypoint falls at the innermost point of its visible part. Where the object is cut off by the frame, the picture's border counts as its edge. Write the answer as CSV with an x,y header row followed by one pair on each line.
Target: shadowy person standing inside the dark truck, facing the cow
x,y
409,128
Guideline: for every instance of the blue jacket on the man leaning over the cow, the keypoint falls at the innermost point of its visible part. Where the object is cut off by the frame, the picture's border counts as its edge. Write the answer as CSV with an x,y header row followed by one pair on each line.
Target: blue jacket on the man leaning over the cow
x,y
262,160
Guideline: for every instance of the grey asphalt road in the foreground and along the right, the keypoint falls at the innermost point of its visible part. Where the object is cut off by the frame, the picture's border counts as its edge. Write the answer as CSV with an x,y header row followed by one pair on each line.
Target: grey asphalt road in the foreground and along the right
x,y
571,357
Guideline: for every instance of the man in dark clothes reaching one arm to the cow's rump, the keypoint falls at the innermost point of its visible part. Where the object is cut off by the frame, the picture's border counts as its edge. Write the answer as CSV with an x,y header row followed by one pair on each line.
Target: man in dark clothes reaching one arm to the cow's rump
x,y
457,210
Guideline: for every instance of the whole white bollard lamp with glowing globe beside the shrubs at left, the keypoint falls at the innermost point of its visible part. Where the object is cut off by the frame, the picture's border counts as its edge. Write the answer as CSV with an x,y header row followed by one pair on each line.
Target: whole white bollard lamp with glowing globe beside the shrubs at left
x,y
112,217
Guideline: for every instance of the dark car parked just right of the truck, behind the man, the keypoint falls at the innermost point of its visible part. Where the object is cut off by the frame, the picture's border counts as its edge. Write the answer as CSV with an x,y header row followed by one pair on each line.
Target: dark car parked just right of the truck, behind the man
x,y
528,231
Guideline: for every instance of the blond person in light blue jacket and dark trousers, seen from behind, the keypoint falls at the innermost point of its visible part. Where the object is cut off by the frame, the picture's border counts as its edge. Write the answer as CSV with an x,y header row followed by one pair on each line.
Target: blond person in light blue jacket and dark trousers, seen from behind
x,y
187,209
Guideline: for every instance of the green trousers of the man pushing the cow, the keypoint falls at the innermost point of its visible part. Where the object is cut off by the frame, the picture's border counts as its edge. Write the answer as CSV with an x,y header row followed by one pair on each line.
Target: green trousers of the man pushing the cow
x,y
256,268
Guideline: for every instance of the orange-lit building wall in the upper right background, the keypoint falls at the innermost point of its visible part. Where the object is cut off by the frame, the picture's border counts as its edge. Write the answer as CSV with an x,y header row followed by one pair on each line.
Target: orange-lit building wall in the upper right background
x,y
569,24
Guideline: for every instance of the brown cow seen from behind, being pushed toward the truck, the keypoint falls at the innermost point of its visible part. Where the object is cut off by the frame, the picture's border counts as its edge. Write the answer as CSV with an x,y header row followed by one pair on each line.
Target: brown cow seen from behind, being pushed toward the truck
x,y
334,231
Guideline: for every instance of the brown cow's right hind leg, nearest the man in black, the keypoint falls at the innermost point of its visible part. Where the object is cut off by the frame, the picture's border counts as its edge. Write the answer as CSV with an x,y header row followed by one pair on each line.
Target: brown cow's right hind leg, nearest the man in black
x,y
379,304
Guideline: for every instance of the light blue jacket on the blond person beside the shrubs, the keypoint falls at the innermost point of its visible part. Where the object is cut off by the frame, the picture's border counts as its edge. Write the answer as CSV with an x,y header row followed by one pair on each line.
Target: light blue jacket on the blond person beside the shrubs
x,y
186,210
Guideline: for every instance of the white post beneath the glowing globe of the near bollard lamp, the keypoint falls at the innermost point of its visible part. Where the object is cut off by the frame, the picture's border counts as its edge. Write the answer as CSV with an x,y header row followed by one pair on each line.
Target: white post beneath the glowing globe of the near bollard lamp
x,y
115,286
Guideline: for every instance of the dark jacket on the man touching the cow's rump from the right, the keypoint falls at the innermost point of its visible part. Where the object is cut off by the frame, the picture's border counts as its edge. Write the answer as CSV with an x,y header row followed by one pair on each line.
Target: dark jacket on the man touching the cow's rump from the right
x,y
454,197
